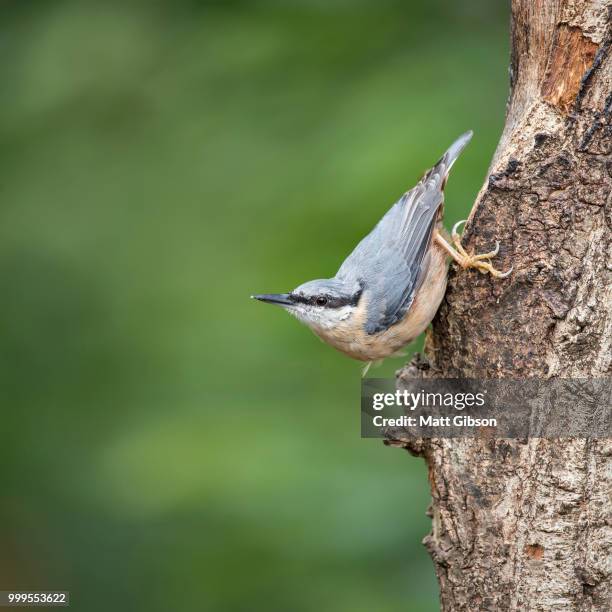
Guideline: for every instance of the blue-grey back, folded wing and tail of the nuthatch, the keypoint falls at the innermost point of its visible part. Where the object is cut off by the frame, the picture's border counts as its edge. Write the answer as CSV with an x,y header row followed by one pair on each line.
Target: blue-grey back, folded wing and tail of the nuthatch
x,y
392,260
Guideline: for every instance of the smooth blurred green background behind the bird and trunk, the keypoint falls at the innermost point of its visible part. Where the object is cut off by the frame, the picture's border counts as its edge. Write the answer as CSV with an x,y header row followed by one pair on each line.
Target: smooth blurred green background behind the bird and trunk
x,y
168,444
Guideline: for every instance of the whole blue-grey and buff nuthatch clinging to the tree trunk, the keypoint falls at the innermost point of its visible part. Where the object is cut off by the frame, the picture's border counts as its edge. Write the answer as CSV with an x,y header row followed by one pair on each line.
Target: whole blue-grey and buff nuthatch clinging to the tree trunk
x,y
389,288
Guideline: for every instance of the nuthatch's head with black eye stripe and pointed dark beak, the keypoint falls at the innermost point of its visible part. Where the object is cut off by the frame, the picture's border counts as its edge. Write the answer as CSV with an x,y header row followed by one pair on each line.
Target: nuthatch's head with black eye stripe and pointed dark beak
x,y
321,304
